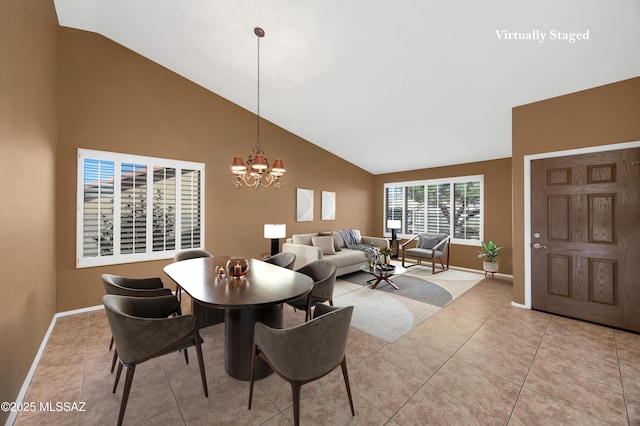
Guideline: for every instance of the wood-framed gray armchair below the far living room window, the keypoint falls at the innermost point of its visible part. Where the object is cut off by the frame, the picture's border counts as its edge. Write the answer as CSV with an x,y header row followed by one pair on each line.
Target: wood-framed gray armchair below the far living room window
x,y
430,247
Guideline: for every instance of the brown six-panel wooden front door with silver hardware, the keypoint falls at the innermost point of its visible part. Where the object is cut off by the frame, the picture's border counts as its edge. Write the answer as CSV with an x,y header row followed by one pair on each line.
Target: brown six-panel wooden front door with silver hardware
x,y
585,255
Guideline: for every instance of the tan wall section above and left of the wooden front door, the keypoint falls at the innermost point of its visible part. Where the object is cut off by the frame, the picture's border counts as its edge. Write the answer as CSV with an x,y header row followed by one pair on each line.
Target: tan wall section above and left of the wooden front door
x,y
599,116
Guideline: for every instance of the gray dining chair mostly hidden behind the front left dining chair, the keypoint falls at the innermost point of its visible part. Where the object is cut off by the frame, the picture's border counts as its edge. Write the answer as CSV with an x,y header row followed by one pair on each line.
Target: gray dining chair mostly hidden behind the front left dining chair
x,y
140,287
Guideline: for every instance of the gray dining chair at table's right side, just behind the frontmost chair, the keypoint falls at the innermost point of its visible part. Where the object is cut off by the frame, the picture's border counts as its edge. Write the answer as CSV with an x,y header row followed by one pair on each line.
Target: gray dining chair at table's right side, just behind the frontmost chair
x,y
323,273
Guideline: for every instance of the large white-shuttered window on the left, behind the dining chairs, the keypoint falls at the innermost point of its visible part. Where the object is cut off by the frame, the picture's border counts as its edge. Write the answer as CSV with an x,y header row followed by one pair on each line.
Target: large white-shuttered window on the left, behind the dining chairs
x,y
133,208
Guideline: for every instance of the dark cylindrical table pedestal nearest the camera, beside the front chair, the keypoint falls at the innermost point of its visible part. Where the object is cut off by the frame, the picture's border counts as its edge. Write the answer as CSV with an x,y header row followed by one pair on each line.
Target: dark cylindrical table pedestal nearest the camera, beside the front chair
x,y
238,340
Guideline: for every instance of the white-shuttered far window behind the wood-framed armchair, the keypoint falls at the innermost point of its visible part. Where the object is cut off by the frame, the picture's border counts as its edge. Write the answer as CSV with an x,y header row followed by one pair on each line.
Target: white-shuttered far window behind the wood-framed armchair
x,y
451,206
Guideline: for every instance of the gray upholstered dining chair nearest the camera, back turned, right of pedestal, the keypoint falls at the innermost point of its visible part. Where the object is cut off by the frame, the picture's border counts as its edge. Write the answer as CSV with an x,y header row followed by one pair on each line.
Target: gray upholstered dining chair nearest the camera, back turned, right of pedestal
x,y
306,352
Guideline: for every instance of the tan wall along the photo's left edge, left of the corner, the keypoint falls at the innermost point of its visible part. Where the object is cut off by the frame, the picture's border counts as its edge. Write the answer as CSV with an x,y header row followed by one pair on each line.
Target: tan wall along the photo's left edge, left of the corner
x,y
27,151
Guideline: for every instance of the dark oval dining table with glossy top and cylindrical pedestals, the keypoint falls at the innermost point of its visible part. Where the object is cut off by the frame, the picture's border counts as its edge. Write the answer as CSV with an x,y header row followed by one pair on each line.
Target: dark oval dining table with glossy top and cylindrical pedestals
x,y
241,302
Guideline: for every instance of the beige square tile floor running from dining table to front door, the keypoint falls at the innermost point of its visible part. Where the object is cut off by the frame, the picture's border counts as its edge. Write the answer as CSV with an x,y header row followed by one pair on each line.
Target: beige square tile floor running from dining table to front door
x,y
477,361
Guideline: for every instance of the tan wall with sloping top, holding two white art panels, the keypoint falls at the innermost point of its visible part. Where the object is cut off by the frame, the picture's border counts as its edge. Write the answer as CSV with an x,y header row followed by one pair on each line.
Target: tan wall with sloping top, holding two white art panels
x,y
115,100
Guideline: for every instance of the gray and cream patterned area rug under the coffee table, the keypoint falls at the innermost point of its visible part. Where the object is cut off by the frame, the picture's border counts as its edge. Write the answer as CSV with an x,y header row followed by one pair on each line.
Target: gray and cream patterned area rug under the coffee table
x,y
388,313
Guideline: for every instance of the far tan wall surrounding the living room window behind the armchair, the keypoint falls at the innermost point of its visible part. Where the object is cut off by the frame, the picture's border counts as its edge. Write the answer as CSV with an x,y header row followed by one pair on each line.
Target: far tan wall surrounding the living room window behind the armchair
x,y
497,203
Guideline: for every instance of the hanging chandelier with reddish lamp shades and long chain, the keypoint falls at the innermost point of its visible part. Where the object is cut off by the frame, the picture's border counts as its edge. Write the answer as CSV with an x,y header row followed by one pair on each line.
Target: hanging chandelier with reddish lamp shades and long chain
x,y
255,171
